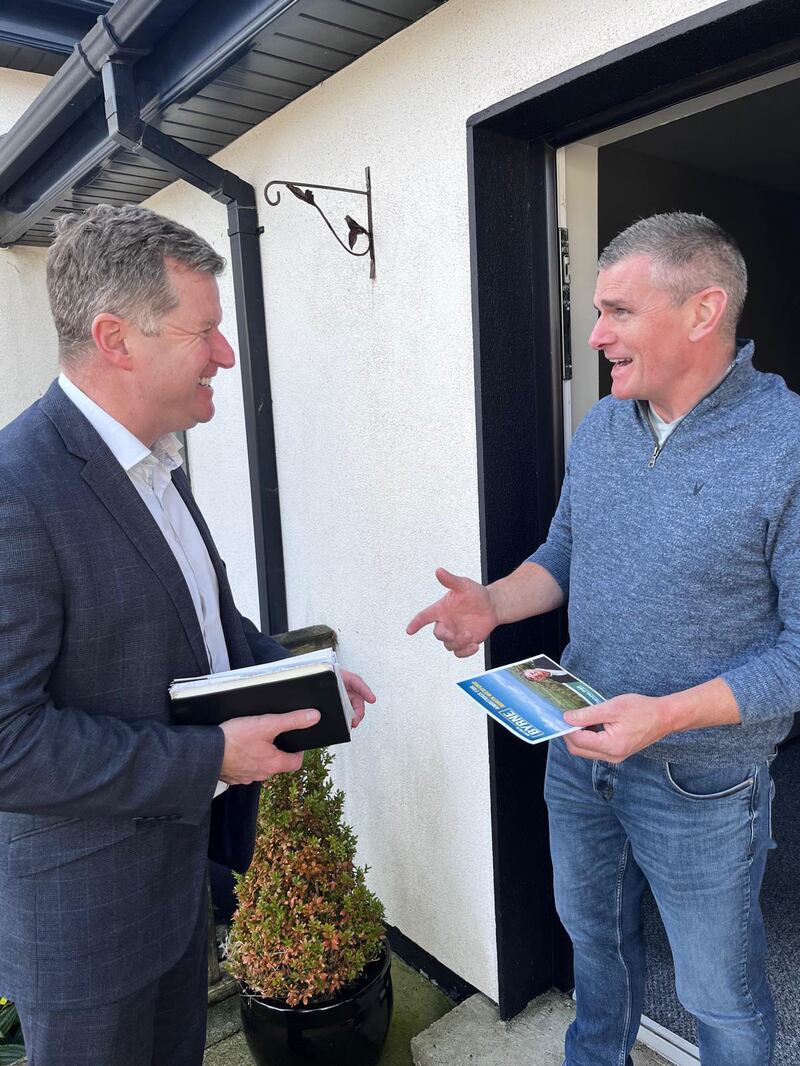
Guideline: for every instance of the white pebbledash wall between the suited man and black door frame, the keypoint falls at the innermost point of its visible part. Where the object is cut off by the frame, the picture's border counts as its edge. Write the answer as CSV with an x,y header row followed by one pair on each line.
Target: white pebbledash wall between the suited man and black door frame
x,y
374,402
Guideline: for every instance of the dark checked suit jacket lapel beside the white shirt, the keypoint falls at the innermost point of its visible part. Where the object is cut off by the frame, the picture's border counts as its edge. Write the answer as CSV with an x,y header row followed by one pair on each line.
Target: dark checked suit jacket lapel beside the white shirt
x,y
113,487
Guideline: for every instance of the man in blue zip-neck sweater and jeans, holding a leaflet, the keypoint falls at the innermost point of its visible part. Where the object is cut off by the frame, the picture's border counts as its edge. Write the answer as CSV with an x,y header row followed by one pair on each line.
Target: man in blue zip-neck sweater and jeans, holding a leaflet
x,y
677,541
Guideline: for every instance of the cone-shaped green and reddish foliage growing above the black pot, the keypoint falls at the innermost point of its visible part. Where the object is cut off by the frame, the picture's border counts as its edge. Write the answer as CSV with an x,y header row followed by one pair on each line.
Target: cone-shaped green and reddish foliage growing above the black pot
x,y
307,925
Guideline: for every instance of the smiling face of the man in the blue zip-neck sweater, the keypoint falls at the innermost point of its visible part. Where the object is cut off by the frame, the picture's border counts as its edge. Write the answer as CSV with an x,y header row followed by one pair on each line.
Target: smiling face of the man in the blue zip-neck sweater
x,y
645,336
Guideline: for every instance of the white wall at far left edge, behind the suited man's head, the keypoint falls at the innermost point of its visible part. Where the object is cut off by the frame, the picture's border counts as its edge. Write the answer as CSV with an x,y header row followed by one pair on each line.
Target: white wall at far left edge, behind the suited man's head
x,y
28,353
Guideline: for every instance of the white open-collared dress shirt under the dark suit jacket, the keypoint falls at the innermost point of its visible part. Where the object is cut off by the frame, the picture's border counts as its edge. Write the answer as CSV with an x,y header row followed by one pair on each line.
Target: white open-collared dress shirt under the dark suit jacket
x,y
151,475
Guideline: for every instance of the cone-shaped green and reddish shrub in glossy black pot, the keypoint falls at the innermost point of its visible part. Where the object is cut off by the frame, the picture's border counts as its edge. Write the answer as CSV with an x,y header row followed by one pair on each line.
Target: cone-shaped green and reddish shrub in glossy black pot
x,y
308,941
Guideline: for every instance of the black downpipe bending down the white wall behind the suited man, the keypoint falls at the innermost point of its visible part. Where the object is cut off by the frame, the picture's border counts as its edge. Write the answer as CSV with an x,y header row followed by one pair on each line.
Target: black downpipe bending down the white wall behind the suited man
x,y
126,128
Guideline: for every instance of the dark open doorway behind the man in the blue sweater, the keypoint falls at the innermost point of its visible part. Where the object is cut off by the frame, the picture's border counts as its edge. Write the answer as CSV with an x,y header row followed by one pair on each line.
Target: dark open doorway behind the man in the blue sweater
x,y
726,156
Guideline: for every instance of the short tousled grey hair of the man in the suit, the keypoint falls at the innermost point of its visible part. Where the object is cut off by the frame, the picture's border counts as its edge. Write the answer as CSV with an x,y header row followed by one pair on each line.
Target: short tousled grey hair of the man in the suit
x,y
113,260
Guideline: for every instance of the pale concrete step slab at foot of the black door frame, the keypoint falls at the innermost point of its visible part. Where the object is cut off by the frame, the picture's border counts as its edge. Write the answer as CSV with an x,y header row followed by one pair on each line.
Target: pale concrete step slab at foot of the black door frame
x,y
473,1036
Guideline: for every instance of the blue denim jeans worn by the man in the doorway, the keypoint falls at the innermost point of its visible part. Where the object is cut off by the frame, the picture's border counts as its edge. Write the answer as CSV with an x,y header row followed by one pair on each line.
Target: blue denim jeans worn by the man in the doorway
x,y
700,837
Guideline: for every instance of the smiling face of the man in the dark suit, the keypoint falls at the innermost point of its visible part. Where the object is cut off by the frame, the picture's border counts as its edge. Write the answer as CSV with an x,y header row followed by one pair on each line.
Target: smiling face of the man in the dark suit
x,y
170,382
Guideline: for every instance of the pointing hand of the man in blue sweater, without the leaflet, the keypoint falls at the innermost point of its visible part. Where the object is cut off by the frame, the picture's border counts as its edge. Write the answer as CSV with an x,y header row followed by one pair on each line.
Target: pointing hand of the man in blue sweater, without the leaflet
x,y
463,619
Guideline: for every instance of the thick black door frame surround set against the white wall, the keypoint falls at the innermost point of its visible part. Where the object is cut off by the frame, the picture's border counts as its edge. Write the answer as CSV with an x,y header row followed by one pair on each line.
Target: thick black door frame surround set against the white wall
x,y
518,380
